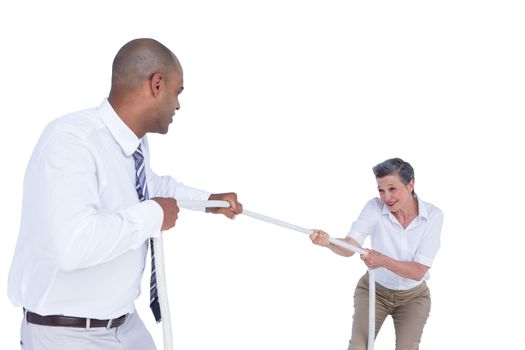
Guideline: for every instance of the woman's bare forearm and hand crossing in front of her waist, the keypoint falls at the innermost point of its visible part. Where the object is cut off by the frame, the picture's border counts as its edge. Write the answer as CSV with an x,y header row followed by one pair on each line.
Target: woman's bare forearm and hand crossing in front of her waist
x,y
407,269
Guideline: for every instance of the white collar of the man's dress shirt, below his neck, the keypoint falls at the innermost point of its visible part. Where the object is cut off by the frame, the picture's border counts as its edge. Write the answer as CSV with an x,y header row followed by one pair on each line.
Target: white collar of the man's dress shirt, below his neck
x,y
124,136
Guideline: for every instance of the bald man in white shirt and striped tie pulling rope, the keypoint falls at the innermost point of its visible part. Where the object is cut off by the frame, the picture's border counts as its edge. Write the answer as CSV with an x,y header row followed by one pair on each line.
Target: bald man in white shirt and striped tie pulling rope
x,y
91,206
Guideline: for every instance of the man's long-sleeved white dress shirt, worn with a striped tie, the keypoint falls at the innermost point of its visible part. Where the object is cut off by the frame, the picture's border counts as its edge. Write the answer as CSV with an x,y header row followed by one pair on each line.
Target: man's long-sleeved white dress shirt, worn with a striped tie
x,y
82,245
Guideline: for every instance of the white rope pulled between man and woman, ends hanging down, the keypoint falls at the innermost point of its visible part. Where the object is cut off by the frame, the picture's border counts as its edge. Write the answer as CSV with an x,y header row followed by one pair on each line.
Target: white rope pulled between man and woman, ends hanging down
x,y
161,278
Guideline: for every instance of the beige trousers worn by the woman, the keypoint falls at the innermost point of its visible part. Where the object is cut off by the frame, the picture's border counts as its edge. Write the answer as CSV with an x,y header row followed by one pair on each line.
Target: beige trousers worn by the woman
x,y
409,309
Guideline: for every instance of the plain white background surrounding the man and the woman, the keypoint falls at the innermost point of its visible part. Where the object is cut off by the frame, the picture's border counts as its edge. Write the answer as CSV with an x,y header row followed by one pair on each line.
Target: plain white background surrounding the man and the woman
x,y
290,104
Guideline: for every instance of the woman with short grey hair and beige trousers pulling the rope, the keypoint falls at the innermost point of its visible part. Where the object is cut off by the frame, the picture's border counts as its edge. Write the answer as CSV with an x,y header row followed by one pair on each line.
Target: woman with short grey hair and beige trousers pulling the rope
x,y
405,237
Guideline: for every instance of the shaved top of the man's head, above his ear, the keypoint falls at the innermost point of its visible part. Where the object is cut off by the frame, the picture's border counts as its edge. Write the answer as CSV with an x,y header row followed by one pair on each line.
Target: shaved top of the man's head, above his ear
x,y
138,60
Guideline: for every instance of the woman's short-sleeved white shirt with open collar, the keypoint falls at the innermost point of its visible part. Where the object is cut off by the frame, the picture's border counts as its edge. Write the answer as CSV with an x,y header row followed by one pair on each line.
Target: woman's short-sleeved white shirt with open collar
x,y
419,242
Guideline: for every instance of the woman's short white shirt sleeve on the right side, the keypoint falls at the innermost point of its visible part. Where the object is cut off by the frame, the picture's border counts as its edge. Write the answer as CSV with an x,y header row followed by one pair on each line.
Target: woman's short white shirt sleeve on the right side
x,y
431,239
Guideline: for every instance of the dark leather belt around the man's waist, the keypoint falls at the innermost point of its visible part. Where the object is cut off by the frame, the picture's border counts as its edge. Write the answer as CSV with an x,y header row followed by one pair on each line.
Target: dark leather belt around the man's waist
x,y
77,322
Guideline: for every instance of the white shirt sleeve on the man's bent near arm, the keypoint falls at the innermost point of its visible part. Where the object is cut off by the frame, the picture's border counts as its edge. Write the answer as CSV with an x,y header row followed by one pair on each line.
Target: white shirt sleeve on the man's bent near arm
x,y
66,196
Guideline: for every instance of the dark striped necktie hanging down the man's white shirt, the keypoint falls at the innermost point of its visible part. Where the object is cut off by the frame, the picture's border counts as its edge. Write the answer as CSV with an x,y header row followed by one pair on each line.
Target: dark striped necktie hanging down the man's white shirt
x,y
142,191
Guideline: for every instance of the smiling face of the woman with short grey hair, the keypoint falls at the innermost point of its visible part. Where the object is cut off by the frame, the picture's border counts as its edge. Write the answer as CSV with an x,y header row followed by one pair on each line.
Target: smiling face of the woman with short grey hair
x,y
394,192
